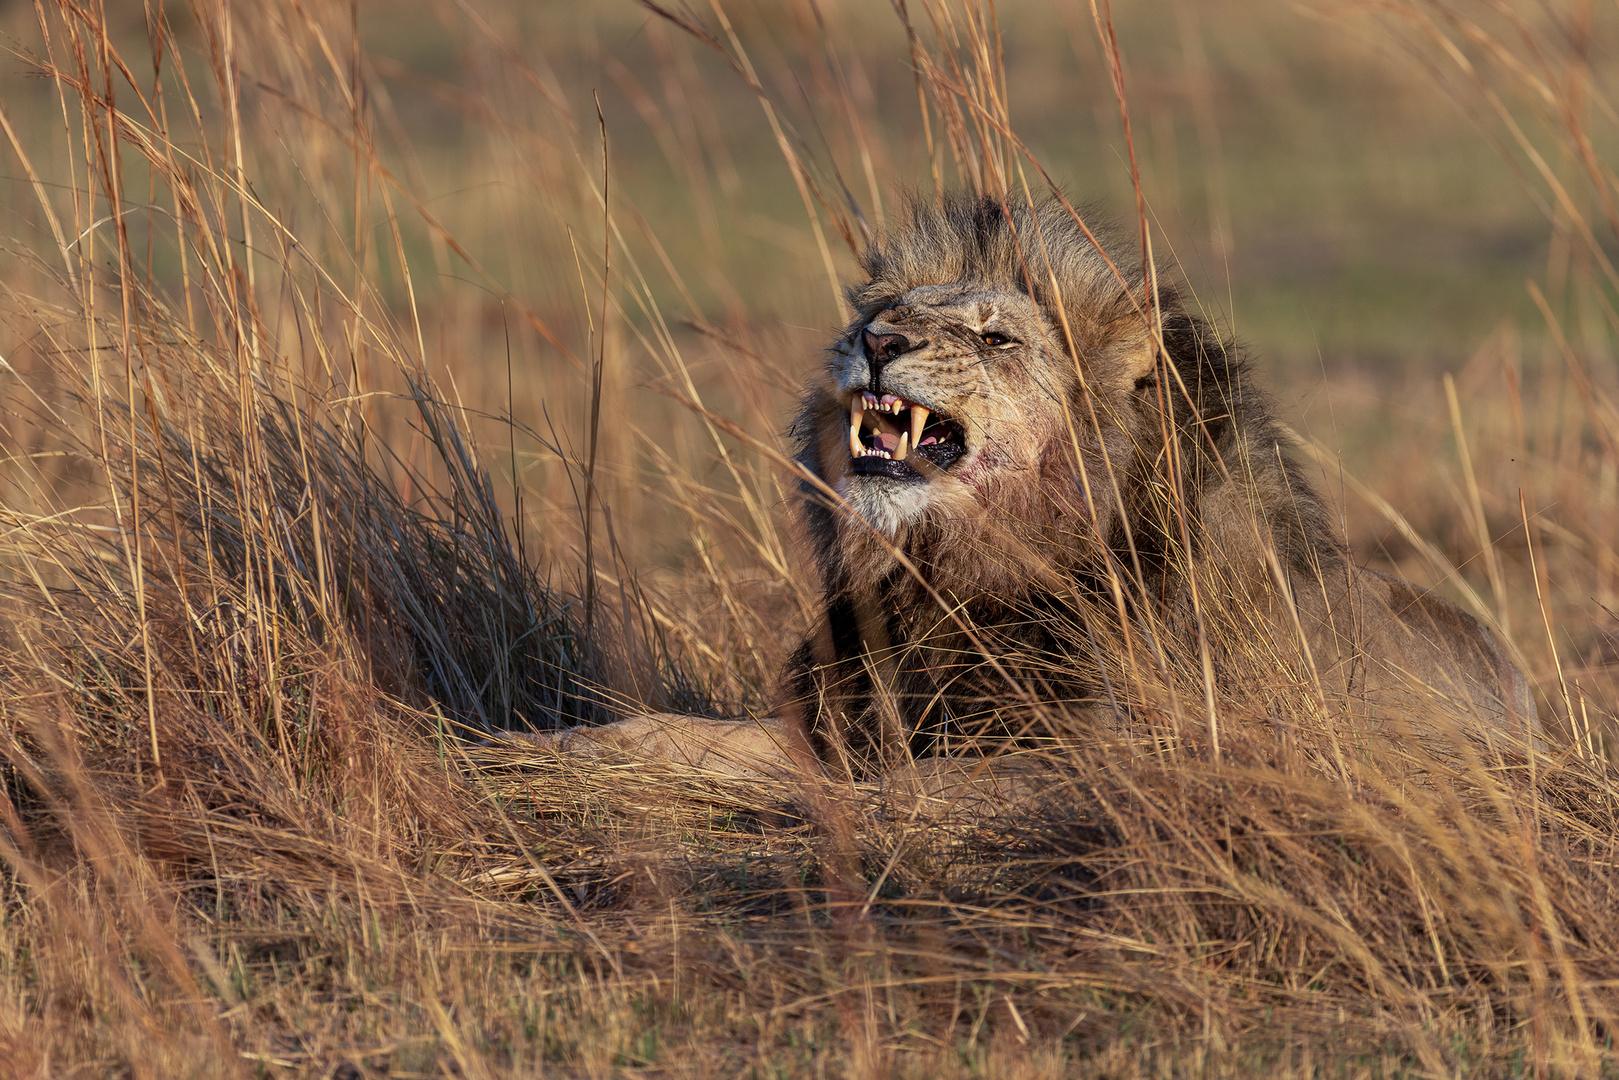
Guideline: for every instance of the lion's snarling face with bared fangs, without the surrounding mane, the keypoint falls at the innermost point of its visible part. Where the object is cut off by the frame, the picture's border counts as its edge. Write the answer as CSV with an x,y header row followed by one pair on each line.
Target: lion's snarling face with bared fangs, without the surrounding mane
x,y
938,401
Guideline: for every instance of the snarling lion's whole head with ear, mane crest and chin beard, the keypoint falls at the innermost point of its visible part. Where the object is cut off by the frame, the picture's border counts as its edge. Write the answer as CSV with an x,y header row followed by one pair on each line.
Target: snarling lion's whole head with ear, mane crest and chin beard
x,y
985,412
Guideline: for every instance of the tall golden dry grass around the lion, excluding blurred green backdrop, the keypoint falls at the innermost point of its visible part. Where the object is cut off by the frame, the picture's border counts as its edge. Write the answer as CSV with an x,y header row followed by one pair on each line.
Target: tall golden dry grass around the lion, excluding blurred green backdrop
x,y
268,602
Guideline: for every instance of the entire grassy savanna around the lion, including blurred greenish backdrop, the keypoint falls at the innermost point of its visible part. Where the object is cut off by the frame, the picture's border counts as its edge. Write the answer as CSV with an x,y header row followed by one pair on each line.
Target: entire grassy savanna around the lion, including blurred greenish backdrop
x,y
346,420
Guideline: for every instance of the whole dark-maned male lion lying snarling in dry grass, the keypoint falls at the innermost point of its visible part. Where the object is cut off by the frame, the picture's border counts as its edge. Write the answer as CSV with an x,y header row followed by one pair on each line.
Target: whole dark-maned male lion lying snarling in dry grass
x,y
1018,474
